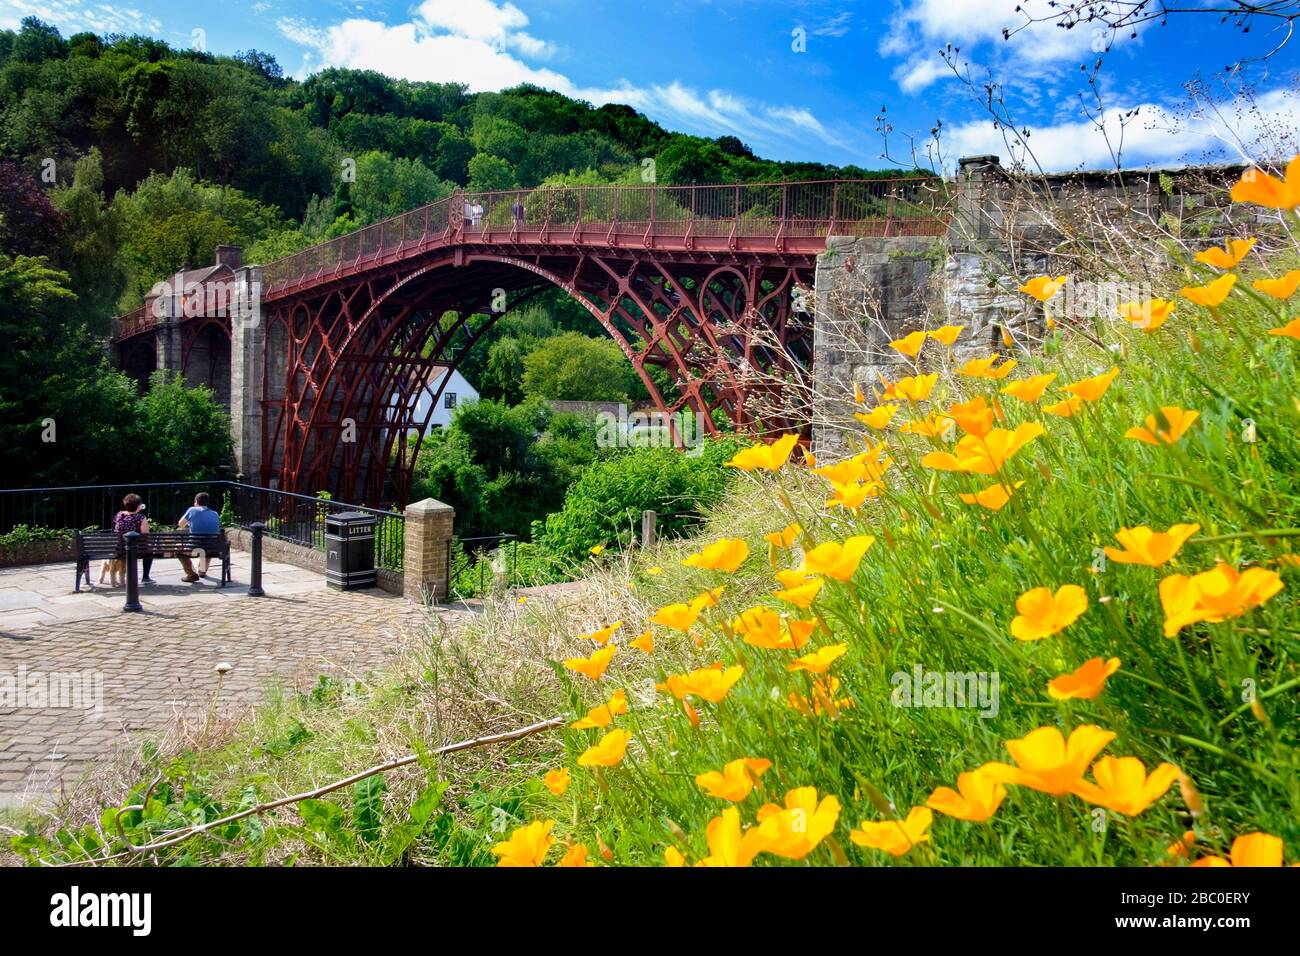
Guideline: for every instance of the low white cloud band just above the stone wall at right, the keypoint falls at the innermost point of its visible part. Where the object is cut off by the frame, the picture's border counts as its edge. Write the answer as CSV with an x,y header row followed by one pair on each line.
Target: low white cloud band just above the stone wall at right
x,y
1237,131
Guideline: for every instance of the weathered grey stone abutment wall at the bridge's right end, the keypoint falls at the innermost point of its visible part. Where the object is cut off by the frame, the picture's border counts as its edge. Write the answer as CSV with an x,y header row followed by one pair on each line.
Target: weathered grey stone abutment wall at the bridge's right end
x,y
1097,228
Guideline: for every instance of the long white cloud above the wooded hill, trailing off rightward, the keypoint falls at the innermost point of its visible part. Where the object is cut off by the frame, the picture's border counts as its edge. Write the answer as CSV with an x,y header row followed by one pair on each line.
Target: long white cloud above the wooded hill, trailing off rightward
x,y
484,45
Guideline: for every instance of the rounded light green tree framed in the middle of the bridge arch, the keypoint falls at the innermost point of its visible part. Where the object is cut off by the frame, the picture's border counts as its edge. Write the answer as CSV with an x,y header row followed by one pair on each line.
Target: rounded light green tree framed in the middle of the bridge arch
x,y
575,367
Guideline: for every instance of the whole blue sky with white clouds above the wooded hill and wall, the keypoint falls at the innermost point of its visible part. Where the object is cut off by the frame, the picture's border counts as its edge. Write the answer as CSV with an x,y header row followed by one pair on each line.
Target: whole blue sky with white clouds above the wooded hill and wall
x,y
796,80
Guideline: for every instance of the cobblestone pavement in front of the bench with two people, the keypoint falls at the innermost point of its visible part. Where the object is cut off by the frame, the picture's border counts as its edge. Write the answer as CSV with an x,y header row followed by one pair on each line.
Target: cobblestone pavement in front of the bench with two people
x,y
129,676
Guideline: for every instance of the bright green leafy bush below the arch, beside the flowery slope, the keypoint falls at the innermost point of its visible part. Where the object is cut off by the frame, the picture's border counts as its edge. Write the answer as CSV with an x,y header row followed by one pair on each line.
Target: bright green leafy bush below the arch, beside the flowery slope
x,y
605,505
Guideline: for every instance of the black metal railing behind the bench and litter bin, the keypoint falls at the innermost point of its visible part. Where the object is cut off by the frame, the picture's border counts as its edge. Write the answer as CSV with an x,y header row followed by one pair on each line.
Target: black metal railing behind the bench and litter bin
x,y
288,517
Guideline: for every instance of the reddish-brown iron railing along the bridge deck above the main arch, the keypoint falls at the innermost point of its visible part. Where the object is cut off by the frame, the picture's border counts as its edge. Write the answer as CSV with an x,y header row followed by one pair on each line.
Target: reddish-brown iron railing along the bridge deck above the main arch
x,y
638,214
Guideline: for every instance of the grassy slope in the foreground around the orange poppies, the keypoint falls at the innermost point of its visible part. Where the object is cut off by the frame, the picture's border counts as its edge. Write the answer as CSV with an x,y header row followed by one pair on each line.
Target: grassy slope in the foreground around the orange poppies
x,y
938,590
